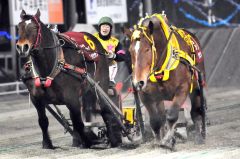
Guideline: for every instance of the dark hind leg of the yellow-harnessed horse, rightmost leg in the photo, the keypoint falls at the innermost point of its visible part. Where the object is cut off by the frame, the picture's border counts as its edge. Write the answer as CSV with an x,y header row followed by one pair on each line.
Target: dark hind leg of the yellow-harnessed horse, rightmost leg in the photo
x,y
197,116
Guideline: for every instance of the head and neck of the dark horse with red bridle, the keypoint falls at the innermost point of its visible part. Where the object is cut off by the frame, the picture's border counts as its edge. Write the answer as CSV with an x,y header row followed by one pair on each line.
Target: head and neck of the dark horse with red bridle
x,y
38,42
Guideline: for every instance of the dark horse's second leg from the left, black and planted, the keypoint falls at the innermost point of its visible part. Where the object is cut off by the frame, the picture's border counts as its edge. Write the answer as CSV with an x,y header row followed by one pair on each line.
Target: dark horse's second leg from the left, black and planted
x,y
79,137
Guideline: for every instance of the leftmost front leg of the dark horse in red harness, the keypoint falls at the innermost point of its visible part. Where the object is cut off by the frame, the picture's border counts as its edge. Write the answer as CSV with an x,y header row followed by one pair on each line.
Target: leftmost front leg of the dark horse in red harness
x,y
43,123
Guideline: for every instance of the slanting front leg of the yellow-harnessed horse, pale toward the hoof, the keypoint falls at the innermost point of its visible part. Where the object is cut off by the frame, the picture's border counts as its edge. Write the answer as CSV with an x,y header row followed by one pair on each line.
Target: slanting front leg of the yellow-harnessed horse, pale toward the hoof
x,y
172,117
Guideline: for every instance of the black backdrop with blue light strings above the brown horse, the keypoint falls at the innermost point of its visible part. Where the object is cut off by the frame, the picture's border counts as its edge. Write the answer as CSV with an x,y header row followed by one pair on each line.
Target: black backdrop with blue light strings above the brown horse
x,y
192,13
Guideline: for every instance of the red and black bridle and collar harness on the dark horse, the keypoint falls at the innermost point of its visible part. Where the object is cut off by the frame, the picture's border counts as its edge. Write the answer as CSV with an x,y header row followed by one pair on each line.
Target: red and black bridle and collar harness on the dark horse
x,y
59,60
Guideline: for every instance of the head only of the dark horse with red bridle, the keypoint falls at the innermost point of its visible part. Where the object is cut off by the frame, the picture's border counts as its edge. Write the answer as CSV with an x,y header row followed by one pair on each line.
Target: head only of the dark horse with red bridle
x,y
29,33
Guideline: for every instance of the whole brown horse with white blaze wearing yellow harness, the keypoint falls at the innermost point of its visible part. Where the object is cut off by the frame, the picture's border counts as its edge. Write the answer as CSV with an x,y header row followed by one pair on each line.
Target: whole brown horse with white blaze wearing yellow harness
x,y
165,67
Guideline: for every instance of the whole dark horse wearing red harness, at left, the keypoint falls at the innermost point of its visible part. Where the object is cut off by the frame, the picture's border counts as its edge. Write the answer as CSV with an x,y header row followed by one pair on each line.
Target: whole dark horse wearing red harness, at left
x,y
55,64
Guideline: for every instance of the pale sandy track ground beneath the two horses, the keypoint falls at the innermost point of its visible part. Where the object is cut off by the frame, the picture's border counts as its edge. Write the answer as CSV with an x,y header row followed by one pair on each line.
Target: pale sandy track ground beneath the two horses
x,y
20,135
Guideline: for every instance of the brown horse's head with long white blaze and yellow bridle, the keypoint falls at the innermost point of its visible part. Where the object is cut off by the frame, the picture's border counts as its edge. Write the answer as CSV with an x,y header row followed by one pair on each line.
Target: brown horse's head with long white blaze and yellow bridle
x,y
143,50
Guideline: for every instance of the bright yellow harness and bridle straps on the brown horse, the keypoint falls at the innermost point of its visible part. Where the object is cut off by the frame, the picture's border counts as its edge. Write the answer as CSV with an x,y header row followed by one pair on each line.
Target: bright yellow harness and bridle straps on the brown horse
x,y
173,55
